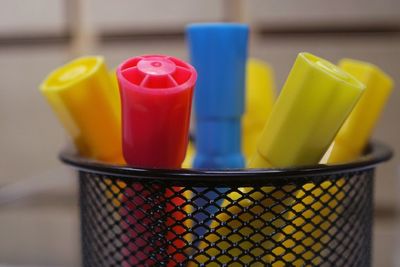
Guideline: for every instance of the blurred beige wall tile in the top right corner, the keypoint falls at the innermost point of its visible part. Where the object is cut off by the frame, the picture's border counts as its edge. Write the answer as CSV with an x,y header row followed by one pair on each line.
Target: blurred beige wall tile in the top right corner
x,y
315,13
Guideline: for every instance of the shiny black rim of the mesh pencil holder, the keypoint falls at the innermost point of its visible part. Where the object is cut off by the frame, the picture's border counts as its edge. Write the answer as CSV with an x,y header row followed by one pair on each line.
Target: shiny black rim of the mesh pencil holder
x,y
376,153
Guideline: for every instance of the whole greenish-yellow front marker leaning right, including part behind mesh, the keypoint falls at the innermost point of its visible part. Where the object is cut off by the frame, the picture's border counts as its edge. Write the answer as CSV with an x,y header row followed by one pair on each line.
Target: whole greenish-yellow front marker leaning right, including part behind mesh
x,y
314,102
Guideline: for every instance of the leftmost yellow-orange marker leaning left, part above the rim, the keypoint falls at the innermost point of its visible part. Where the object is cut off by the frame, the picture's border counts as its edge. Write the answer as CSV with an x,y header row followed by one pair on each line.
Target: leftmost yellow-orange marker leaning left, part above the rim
x,y
87,104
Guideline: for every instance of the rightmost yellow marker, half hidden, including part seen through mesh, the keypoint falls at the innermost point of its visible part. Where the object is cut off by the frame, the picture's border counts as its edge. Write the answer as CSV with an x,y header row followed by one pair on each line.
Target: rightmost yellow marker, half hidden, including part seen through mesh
x,y
348,145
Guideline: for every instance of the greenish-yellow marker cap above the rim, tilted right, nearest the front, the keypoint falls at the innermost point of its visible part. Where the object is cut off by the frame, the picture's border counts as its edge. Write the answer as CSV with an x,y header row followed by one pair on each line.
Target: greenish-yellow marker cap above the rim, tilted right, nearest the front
x,y
315,101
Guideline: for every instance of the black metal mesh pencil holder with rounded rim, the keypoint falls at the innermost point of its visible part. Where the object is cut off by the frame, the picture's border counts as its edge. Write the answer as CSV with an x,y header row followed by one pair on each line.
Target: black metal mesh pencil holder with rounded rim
x,y
320,215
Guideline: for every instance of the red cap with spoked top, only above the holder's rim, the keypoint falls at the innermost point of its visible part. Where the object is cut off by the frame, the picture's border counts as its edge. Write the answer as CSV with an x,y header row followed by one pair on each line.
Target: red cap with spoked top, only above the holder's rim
x,y
156,96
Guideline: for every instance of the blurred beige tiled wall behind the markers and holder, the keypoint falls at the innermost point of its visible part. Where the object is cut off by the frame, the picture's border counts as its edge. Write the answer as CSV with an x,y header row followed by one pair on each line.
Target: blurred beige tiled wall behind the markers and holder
x,y
39,223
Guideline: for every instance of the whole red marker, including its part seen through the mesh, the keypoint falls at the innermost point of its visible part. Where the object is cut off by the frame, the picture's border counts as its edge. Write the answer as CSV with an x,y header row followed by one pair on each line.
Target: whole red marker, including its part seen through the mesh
x,y
156,95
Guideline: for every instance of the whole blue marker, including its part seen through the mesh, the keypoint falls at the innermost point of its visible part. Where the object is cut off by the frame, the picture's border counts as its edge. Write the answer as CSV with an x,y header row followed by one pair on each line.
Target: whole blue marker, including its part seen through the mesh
x,y
218,51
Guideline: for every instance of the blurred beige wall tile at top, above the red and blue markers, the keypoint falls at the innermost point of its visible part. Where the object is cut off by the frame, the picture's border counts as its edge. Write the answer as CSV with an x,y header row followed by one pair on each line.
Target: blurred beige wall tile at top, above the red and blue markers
x,y
152,15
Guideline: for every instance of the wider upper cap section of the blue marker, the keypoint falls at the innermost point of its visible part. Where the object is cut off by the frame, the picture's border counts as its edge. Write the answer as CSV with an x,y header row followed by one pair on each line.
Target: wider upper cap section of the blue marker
x,y
218,51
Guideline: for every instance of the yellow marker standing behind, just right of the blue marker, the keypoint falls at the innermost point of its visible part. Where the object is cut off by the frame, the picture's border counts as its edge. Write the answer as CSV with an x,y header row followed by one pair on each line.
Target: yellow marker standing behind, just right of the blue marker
x,y
260,97
